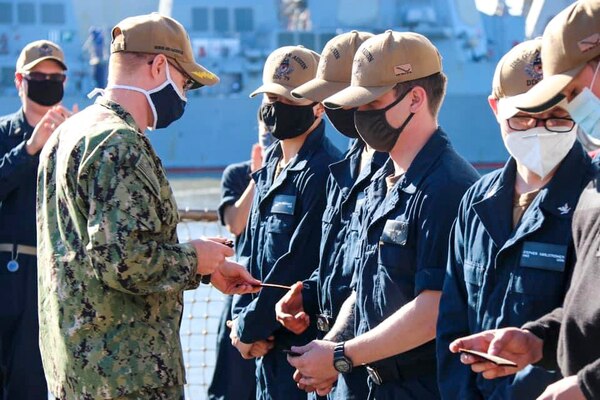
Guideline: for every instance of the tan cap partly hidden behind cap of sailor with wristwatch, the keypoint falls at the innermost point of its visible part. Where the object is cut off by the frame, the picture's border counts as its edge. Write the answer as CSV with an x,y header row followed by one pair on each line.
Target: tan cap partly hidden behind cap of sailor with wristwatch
x,y
334,72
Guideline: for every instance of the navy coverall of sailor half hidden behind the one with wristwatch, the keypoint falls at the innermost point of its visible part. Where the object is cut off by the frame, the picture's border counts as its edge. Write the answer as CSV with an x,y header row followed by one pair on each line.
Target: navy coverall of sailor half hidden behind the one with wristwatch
x,y
328,287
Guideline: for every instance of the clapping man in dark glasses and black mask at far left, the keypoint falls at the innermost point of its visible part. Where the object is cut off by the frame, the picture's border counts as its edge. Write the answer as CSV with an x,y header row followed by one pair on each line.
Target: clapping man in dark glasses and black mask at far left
x,y
39,78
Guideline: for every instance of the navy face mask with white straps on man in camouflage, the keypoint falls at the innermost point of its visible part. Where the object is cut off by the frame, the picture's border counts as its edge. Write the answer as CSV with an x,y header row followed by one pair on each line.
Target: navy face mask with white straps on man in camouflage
x,y
166,102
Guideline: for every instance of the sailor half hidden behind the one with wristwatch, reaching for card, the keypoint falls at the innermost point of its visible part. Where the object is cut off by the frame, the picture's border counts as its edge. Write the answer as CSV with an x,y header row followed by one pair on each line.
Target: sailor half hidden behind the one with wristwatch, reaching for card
x,y
318,299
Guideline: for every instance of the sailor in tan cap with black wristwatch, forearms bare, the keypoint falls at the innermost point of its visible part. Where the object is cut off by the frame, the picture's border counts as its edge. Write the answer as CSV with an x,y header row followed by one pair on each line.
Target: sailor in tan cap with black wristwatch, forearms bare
x,y
398,86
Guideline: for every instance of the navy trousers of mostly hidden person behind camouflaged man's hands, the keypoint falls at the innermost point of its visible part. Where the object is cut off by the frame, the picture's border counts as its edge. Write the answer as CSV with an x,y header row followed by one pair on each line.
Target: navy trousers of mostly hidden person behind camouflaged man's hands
x,y
234,378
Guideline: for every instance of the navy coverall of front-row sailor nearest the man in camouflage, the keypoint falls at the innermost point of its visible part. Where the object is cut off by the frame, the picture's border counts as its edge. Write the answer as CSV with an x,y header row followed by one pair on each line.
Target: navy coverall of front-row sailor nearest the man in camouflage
x,y
281,245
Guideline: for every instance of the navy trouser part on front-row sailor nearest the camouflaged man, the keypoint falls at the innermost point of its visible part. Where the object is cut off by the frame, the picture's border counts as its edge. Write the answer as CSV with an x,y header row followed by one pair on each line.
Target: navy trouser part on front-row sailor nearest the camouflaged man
x,y
275,378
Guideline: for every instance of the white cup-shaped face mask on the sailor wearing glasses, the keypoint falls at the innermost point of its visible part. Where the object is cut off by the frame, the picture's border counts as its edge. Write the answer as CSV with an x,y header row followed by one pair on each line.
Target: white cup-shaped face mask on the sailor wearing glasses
x,y
538,149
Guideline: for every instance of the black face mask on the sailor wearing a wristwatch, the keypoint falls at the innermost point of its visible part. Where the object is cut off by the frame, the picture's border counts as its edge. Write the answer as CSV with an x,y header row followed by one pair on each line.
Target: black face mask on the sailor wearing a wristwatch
x,y
373,127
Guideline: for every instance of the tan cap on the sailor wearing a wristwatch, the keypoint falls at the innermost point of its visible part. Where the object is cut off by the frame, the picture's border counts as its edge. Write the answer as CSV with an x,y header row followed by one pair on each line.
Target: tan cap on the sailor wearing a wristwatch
x,y
384,61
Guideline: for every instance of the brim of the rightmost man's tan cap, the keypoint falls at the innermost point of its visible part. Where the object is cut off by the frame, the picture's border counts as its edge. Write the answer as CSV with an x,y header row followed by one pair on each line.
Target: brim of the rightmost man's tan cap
x,y
546,94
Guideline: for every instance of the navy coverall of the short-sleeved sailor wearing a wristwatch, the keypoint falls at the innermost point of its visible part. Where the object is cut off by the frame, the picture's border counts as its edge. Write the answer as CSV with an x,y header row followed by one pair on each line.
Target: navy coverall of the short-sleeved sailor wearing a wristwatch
x,y
404,252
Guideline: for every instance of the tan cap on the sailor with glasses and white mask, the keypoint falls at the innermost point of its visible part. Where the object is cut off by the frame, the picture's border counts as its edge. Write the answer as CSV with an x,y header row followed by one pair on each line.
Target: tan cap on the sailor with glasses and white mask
x,y
517,72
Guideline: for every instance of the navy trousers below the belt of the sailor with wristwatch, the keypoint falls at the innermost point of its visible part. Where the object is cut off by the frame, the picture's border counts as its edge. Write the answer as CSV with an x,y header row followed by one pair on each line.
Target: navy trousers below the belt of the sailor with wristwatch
x,y
419,388
